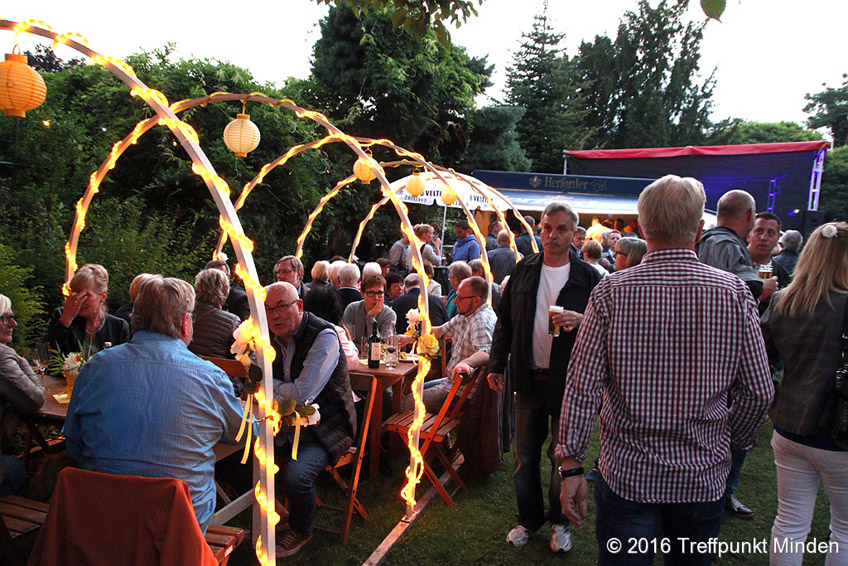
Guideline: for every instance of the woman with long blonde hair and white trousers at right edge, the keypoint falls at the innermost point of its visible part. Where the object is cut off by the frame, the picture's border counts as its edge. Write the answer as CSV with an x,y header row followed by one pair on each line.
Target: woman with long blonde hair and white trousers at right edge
x,y
803,326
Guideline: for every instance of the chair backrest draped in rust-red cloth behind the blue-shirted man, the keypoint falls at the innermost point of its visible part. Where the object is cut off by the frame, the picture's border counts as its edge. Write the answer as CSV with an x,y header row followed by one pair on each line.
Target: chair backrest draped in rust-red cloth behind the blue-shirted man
x,y
106,519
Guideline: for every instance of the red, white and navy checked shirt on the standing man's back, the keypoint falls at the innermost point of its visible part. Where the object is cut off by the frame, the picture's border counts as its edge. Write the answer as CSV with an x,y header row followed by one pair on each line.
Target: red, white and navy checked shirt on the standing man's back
x,y
663,343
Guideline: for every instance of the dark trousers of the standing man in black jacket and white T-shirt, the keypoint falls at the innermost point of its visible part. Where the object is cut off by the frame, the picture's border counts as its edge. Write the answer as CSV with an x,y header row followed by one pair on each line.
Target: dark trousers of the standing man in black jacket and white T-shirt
x,y
532,423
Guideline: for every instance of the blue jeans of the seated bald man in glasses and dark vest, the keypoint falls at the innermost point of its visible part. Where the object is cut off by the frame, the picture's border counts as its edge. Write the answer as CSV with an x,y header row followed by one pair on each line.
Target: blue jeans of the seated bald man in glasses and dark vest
x,y
297,481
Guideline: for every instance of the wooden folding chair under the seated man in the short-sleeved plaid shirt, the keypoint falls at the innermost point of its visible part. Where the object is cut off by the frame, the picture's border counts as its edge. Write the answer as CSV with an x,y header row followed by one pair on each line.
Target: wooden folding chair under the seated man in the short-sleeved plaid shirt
x,y
435,430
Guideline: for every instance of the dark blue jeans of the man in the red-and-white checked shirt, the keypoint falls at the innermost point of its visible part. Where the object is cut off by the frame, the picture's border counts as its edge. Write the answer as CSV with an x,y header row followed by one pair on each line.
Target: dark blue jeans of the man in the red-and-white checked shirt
x,y
644,528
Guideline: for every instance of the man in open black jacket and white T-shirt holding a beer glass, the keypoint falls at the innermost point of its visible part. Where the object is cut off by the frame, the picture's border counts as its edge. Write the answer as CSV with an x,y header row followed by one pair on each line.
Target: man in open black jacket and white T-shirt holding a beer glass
x,y
538,363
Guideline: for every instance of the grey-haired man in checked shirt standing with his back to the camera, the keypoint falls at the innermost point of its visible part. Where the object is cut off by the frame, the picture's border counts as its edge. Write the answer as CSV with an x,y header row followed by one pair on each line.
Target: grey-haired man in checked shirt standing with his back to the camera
x,y
692,337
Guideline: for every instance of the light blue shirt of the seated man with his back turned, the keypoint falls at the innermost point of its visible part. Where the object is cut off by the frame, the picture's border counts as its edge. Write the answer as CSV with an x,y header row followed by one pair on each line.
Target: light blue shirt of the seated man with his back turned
x,y
152,408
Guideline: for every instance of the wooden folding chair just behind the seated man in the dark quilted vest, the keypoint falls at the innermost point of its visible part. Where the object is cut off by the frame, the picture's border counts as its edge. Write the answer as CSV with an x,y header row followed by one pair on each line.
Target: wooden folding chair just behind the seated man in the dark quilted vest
x,y
367,386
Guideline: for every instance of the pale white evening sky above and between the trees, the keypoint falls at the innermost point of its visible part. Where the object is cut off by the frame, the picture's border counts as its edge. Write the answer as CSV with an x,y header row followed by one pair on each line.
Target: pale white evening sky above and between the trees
x,y
767,53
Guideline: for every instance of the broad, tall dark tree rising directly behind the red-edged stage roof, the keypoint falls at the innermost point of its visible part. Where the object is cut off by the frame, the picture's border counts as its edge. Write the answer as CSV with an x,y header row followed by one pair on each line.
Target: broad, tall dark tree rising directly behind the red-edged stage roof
x,y
644,88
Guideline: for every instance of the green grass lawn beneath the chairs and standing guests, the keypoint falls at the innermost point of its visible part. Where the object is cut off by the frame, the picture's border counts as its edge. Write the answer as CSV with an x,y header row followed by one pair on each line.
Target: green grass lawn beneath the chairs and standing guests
x,y
474,531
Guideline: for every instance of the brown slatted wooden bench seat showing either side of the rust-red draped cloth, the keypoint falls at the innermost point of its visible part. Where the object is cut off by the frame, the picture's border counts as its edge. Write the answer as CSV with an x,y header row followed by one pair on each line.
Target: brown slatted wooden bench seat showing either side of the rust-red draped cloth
x,y
22,516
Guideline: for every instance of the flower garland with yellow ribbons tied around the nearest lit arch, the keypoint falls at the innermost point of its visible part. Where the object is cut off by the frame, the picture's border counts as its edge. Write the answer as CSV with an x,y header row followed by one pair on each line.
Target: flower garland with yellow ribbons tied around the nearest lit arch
x,y
284,411
